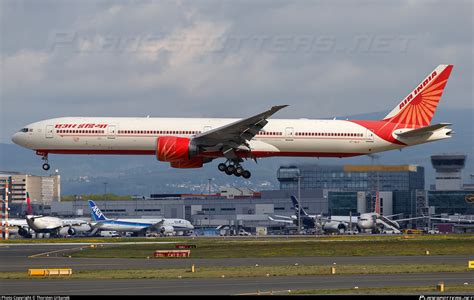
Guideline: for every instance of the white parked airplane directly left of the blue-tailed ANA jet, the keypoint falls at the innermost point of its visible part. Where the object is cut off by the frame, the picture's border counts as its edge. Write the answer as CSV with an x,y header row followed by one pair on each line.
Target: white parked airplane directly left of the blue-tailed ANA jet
x,y
55,226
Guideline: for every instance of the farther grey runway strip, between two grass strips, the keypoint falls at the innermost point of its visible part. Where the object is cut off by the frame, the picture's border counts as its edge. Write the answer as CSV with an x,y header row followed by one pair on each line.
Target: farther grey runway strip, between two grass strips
x,y
16,259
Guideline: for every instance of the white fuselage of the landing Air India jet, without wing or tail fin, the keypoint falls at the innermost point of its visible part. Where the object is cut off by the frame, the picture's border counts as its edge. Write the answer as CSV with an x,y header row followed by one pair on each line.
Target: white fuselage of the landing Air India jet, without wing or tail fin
x,y
138,136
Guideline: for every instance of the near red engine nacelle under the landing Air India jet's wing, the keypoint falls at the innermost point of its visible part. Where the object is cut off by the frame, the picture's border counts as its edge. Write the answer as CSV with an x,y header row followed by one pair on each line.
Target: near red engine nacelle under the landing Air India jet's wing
x,y
173,149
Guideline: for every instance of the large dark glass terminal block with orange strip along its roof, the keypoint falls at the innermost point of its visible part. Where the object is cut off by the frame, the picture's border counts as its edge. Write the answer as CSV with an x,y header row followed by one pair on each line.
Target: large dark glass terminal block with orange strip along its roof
x,y
402,187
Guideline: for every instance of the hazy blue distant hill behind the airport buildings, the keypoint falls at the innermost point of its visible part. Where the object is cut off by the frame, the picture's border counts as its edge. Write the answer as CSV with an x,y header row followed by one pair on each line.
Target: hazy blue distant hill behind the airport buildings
x,y
143,175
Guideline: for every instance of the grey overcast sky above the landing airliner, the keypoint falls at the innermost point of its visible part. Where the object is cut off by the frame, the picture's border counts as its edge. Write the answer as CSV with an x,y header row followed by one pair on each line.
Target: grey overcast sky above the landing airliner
x,y
226,58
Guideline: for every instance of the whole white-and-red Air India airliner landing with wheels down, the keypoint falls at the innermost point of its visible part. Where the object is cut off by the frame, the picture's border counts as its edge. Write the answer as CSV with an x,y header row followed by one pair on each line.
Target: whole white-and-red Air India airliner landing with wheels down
x,y
191,142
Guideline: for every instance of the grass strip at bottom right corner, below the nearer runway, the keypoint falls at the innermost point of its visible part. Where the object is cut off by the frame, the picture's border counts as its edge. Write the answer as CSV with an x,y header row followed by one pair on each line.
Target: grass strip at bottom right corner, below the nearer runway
x,y
388,290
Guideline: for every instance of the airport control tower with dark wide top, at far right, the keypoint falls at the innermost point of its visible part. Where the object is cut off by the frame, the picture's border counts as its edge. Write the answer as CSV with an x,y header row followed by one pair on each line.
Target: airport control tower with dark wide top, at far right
x,y
448,171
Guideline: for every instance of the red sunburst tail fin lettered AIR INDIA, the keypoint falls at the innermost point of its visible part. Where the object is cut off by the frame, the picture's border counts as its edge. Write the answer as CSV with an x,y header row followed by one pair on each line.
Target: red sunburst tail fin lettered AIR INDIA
x,y
417,109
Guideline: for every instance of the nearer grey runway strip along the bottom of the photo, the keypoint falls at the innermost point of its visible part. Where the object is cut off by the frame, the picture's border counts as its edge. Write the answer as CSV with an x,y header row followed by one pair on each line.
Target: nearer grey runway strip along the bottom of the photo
x,y
224,286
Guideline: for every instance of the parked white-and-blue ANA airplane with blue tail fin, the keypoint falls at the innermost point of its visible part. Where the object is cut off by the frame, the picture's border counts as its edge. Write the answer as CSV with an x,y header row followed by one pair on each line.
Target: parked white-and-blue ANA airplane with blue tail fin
x,y
162,225
